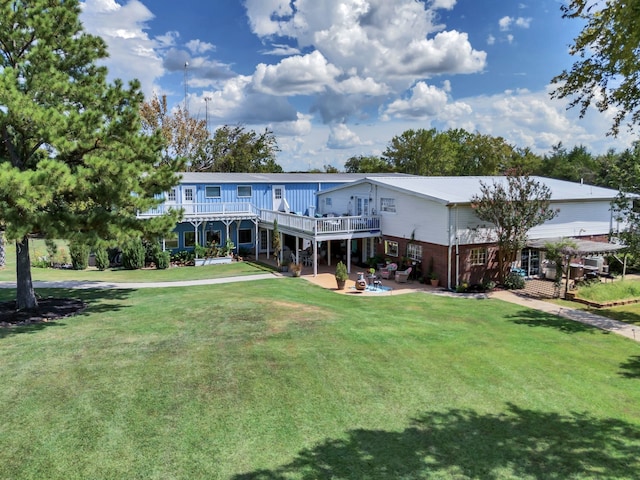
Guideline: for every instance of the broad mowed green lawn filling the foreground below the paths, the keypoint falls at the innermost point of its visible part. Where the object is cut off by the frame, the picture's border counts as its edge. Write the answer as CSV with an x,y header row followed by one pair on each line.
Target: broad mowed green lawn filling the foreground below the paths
x,y
280,379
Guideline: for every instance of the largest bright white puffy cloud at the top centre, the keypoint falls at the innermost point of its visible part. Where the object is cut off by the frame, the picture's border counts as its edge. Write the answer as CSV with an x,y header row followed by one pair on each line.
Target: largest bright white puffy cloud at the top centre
x,y
390,42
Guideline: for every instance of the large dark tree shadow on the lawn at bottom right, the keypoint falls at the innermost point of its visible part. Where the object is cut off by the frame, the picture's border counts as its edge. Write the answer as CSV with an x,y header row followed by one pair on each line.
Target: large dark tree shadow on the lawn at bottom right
x,y
465,444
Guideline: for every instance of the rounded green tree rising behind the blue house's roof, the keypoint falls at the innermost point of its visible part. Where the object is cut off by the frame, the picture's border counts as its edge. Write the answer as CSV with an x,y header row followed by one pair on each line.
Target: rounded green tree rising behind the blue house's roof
x,y
236,149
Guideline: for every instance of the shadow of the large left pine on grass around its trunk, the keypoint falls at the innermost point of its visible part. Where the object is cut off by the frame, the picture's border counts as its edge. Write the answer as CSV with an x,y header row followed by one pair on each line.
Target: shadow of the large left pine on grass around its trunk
x,y
92,301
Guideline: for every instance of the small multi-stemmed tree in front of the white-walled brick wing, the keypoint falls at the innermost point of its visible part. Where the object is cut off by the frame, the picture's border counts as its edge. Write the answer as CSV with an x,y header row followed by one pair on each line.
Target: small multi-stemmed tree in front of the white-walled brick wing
x,y
513,206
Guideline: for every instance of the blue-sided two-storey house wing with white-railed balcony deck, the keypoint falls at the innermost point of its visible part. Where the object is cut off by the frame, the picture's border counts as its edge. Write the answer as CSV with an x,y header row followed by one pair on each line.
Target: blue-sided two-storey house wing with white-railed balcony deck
x,y
244,207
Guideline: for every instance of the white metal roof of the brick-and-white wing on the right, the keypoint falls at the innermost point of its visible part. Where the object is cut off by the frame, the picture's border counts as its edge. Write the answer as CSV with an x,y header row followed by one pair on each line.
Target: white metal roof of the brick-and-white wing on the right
x,y
460,190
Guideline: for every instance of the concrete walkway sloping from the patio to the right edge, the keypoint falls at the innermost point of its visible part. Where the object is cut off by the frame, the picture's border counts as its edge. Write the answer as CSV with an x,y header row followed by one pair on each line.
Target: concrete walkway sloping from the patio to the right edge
x,y
577,315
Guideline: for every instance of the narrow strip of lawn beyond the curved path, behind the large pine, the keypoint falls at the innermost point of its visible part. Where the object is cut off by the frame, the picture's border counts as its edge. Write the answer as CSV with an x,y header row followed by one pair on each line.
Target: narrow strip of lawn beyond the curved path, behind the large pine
x,y
8,274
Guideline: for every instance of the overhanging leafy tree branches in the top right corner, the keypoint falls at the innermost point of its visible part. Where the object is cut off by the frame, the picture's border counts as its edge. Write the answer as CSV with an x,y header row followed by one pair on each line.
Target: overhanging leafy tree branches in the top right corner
x,y
607,72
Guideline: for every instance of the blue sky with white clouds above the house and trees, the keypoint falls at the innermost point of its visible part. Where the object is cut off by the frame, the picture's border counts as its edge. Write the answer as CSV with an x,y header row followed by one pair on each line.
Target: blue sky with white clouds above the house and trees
x,y
338,78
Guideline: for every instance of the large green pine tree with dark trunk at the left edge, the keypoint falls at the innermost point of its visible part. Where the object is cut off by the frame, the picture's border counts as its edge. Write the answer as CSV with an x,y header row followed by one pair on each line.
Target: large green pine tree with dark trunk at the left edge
x,y
74,163
